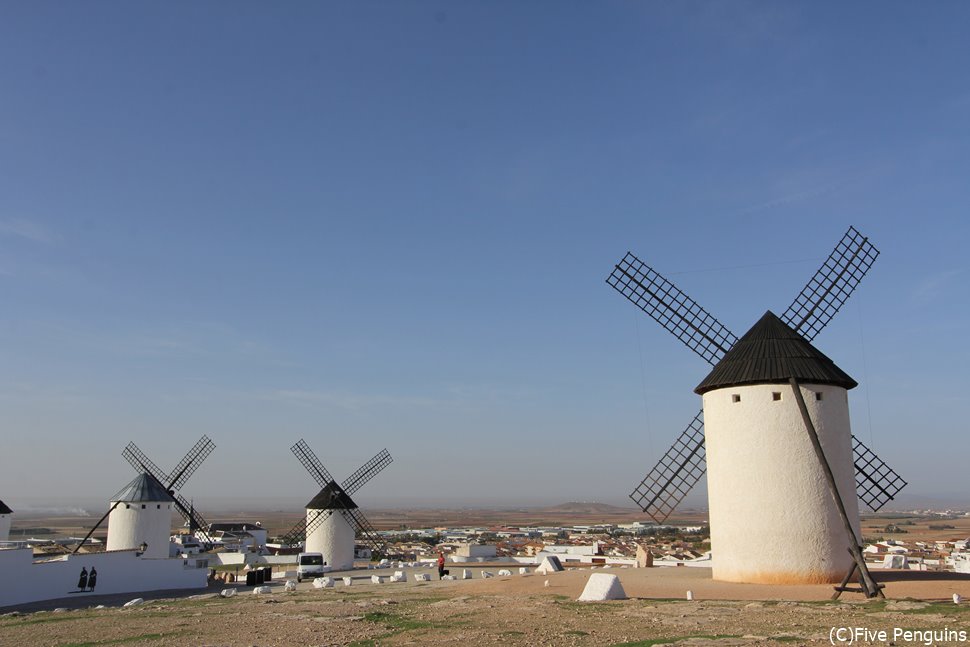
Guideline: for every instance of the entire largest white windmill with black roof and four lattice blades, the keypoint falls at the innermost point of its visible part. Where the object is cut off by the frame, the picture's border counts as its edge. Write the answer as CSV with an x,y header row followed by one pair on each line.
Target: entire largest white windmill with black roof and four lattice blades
x,y
780,455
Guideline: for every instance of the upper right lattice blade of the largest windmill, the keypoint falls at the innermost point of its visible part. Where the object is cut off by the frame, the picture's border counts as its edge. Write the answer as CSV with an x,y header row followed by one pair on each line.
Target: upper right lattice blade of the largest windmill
x,y
832,285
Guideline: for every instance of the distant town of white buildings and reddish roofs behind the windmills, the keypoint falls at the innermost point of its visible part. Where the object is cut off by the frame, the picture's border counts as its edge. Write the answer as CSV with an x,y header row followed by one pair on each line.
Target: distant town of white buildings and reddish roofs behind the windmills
x,y
927,540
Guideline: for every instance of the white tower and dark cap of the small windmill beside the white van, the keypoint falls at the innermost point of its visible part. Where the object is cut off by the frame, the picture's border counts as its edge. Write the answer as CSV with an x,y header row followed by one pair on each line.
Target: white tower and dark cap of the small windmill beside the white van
x,y
334,536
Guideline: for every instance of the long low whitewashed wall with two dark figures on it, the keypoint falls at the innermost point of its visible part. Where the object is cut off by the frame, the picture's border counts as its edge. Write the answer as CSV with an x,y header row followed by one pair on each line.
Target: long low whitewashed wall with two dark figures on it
x,y
118,572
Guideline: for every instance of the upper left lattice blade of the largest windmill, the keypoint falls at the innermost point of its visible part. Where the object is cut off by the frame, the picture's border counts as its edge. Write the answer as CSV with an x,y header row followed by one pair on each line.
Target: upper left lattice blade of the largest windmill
x,y
671,308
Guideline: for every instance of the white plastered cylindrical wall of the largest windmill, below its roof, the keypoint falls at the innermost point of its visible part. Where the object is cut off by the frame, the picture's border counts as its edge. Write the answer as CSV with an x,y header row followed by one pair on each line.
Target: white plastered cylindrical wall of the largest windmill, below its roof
x,y
773,519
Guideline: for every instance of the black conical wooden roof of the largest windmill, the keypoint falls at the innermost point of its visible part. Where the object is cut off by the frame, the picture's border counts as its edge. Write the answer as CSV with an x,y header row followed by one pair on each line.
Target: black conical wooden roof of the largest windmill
x,y
771,353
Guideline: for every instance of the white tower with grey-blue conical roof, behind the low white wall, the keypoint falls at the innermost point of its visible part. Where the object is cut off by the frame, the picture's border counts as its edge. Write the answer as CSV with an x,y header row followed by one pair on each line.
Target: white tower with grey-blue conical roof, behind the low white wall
x,y
143,515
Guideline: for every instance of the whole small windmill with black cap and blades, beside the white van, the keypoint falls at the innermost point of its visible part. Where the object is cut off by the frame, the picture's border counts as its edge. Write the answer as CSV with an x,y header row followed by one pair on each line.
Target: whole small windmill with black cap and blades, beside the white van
x,y
332,519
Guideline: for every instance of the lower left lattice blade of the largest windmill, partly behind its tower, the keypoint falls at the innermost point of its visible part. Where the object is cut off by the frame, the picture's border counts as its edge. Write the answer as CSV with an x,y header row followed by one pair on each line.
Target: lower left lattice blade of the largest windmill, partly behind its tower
x,y
675,474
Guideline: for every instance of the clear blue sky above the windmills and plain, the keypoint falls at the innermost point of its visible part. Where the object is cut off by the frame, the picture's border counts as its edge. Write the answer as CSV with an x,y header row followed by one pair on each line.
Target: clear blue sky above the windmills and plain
x,y
388,224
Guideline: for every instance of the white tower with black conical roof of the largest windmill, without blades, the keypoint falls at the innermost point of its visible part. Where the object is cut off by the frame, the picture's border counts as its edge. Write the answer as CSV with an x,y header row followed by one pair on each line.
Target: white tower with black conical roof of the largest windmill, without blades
x,y
773,517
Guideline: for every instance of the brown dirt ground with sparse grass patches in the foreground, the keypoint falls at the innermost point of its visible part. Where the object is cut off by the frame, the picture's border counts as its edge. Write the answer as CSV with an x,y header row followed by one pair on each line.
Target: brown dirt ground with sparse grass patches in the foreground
x,y
516,610
